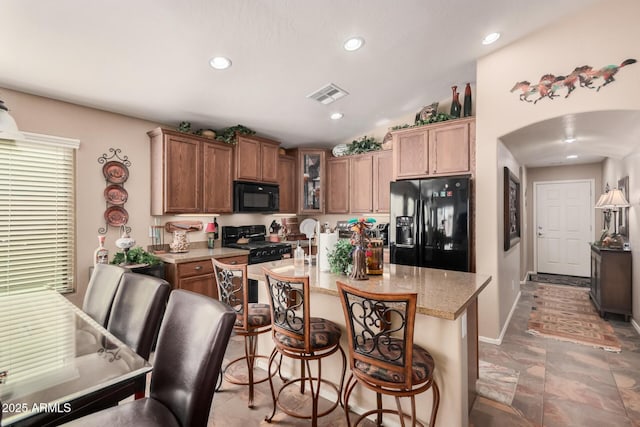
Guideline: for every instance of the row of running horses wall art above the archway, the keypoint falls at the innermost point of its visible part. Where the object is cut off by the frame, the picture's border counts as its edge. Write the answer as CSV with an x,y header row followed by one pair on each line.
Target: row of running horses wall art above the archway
x,y
584,76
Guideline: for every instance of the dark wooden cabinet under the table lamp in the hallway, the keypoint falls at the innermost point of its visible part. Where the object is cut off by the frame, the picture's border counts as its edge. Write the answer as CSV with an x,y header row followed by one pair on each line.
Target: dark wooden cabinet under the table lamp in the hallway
x,y
611,281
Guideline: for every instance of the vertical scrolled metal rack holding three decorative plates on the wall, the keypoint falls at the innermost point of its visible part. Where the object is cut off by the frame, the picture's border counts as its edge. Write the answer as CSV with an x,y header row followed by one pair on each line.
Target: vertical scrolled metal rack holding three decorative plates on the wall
x,y
115,169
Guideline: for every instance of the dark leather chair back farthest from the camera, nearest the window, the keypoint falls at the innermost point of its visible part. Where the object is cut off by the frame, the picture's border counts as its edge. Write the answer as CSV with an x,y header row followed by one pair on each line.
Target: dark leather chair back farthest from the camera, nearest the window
x,y
101,291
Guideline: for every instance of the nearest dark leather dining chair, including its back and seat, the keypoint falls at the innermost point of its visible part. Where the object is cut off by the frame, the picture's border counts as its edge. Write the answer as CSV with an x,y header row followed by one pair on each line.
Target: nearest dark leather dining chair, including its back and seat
x,y
192,341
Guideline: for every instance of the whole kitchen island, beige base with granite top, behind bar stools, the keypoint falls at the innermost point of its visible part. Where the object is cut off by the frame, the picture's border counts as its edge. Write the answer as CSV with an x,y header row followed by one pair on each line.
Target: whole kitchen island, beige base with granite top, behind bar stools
x,y
446,325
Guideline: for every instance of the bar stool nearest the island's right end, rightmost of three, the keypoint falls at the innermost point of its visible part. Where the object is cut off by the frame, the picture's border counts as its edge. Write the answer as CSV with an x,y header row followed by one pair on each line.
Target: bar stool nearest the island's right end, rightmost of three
x,y
382,355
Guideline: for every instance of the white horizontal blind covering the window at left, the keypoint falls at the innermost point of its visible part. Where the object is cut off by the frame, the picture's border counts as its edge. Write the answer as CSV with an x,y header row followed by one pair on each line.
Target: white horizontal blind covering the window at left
x,y
37,210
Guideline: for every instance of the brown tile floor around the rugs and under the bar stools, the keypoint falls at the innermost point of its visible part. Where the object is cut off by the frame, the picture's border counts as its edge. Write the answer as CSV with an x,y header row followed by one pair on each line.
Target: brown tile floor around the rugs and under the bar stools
x,y
560,384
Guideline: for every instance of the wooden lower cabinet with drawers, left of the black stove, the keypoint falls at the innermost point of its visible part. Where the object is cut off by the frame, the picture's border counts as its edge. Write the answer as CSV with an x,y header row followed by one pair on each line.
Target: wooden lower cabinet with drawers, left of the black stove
x,y
197,276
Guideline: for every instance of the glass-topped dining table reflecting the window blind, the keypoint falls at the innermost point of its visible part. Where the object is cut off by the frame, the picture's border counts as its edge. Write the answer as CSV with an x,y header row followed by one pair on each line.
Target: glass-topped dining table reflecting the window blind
x,y
57,363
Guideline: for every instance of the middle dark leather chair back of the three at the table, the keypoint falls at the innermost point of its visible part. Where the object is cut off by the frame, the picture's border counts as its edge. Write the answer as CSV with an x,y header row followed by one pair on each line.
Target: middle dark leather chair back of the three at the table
x,y
137,311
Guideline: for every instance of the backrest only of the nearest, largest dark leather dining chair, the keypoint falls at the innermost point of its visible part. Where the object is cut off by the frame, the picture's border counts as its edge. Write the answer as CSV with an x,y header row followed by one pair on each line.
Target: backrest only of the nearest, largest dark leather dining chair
x,y
189,355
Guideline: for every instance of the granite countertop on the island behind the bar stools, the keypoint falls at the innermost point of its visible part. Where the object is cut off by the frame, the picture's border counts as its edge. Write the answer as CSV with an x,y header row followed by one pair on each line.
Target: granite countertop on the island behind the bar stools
x,y
441,293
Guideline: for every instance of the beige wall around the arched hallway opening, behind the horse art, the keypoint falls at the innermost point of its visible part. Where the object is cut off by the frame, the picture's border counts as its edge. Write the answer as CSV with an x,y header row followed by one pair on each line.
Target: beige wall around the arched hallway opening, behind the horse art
x,y
601,34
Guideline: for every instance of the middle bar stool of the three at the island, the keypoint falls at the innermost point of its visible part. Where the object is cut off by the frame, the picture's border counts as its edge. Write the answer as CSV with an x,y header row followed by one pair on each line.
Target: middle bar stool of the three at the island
x,y
299,336
